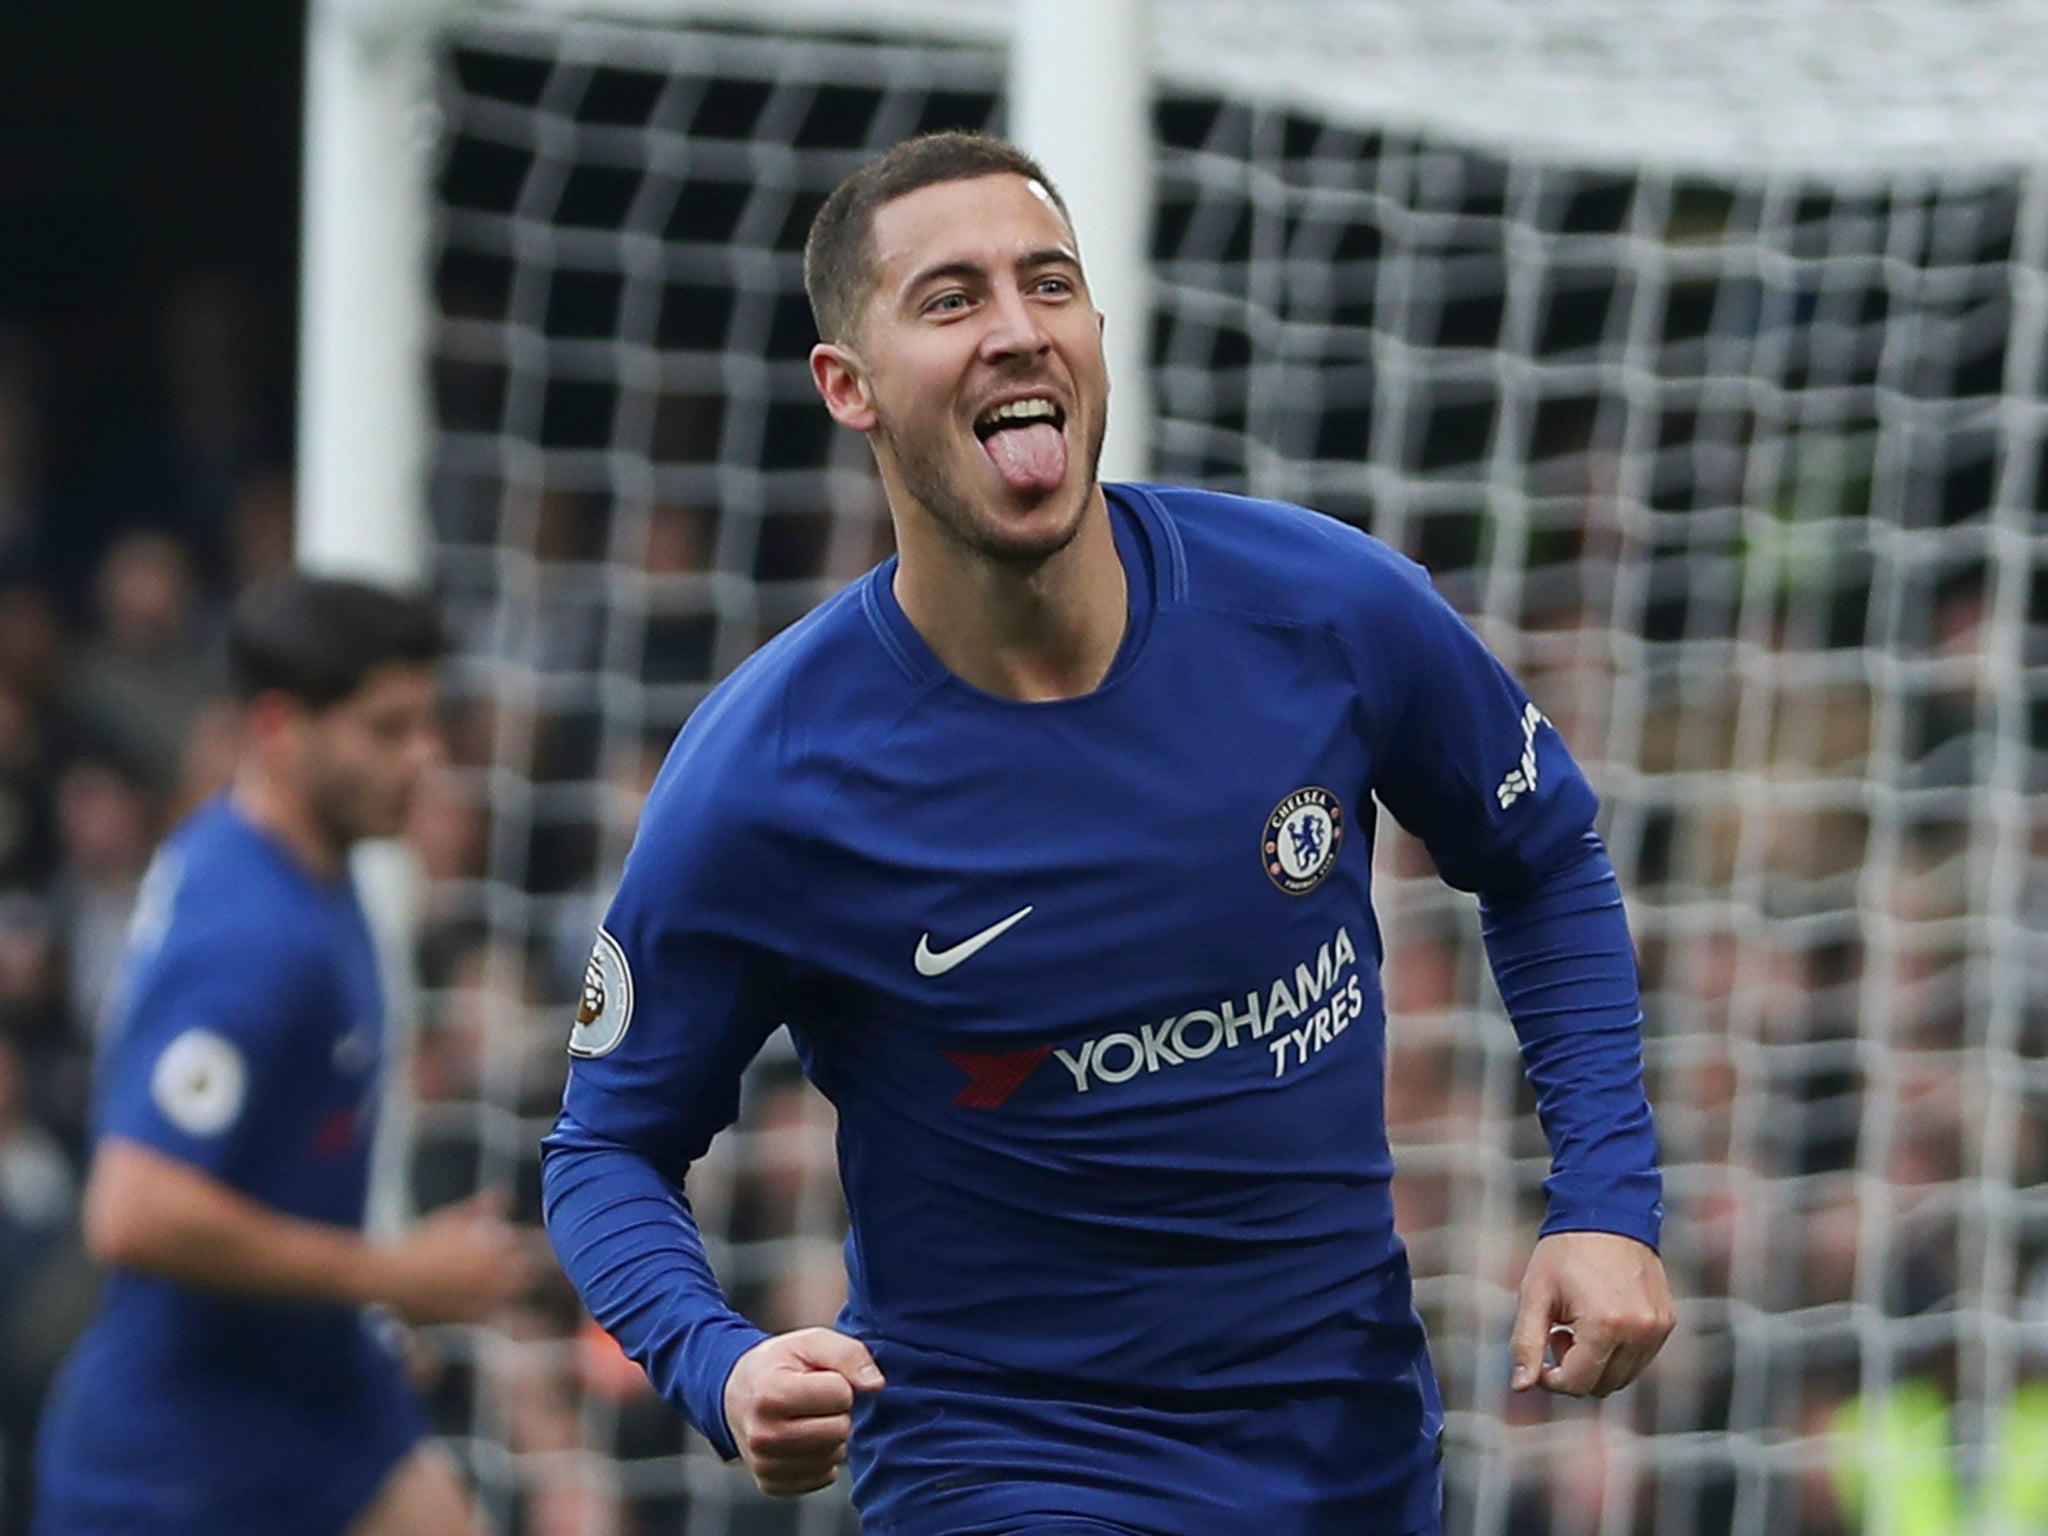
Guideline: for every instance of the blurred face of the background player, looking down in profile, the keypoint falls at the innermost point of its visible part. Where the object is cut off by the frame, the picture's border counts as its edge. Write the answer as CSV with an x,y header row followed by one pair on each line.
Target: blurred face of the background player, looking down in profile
x,y
366,755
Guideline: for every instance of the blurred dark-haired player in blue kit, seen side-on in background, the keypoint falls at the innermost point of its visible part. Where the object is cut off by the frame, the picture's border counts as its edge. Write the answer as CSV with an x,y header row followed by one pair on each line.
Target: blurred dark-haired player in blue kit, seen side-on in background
x,y
232,1381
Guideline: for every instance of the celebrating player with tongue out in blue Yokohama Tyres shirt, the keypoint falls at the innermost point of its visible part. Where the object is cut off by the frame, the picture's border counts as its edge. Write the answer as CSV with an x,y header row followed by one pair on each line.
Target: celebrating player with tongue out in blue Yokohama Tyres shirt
x,y
1050,843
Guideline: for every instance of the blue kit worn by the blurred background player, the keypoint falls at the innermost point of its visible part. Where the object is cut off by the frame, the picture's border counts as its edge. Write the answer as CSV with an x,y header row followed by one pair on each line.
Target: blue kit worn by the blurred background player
x,y
247,1041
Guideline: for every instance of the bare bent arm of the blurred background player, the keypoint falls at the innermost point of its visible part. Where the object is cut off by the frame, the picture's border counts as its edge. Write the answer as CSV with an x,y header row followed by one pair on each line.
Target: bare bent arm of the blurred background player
x,y
151,1211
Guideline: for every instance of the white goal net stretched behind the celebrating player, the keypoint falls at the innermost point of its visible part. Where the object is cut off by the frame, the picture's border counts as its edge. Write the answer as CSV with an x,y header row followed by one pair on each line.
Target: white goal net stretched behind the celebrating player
x,y
1699,355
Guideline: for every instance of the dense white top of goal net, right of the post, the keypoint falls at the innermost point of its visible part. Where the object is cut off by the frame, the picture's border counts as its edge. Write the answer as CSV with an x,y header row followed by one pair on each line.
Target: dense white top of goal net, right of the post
x,y
1838,89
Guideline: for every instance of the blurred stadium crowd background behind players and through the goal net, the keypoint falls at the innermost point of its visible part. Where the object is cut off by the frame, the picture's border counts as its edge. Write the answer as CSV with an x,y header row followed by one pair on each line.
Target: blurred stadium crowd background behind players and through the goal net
x,y
1742,468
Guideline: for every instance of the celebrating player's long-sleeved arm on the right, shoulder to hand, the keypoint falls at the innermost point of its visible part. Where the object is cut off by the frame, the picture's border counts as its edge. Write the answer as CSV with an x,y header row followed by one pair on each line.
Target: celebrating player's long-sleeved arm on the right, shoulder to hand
x,y
1490,787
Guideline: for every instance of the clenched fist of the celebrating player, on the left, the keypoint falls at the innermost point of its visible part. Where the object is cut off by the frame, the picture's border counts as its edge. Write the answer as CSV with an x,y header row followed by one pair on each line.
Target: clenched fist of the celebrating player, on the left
x,y
790,1406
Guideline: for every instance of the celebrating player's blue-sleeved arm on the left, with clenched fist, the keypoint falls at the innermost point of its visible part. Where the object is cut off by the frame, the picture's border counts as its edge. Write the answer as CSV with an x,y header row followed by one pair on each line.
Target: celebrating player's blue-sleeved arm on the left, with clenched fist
x,y
671,1019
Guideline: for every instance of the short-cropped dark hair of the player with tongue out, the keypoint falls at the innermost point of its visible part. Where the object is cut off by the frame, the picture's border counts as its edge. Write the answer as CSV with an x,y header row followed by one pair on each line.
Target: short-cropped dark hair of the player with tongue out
x,y
839,269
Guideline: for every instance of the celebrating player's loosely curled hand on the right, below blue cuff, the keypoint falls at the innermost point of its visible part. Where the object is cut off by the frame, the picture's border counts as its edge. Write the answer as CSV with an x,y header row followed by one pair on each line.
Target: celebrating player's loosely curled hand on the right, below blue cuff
x,y
1601,1306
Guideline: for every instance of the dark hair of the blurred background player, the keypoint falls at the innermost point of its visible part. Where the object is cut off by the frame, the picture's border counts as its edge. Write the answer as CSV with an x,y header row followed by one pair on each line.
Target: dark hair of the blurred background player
x,y
318,638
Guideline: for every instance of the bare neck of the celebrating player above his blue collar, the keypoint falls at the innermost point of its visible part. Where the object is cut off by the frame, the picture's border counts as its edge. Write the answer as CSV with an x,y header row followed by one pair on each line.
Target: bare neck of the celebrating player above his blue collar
x,y
1029,634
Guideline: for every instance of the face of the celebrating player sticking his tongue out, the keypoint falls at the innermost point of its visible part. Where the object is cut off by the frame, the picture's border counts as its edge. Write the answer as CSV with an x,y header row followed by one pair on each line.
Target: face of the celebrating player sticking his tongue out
x,y
978,370
